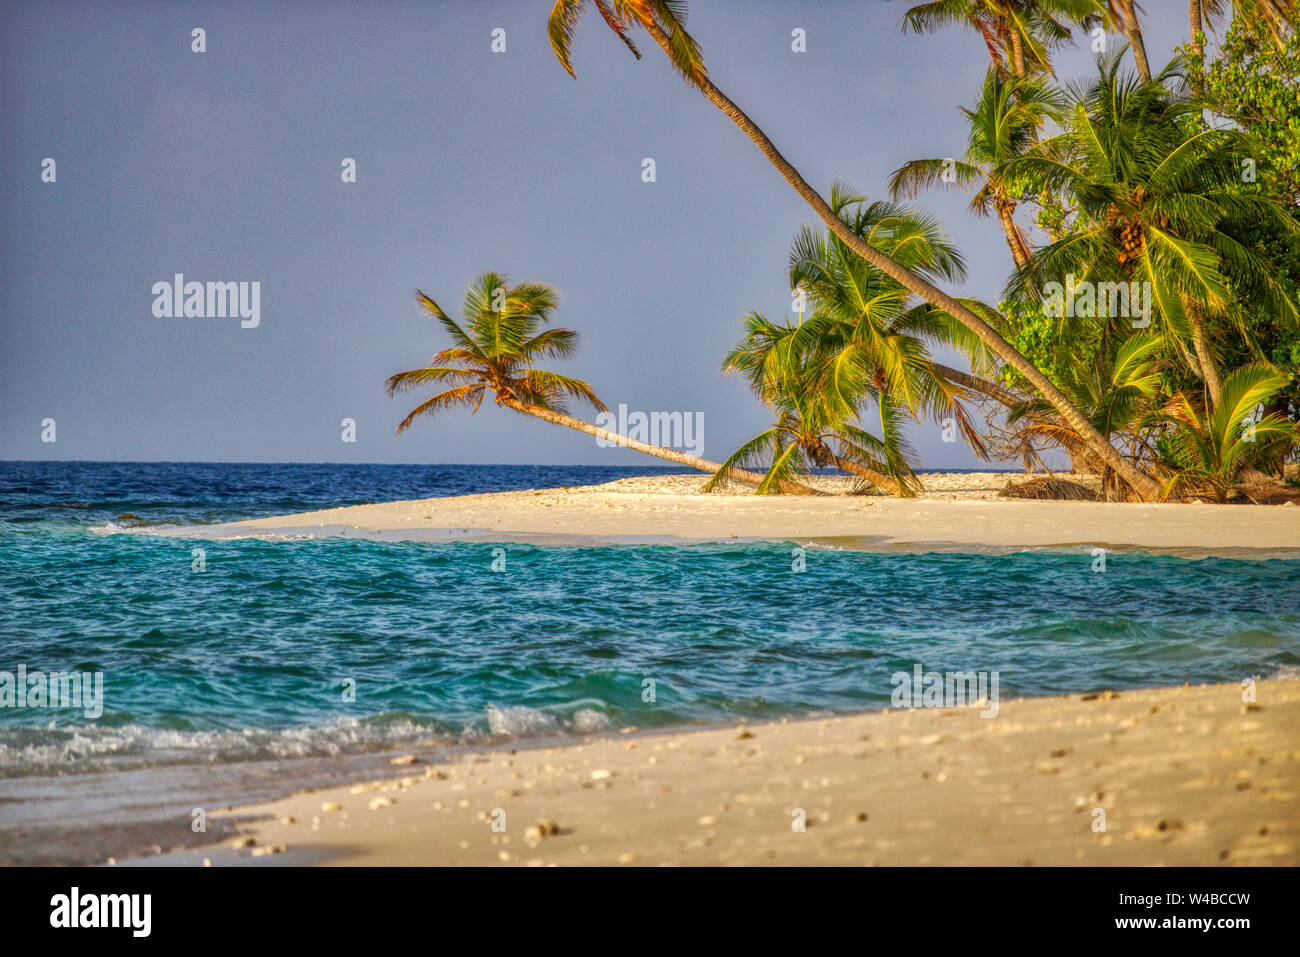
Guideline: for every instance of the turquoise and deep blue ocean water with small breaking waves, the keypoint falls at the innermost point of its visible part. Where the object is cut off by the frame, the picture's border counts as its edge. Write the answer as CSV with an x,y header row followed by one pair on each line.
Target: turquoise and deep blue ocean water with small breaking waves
x,y
275,665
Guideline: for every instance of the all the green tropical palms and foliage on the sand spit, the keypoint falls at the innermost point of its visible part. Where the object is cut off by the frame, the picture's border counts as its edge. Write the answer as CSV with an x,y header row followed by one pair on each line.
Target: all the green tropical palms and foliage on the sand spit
x,y
1150,324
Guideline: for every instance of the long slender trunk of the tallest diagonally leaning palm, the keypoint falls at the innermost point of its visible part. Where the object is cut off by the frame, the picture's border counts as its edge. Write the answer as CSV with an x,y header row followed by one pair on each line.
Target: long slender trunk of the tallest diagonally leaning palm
x,y
1145,486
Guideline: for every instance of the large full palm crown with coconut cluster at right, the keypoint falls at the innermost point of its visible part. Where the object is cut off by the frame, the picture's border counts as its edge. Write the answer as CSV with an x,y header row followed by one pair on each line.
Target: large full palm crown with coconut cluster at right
x,y
1160,202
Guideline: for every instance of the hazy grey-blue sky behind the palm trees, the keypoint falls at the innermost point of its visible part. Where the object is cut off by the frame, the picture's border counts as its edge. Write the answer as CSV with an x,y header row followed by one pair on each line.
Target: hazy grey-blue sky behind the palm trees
x,y
226,166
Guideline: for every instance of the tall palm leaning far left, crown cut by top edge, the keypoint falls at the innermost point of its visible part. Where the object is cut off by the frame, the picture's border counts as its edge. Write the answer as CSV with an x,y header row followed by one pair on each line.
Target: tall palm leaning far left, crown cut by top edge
x,y
662,20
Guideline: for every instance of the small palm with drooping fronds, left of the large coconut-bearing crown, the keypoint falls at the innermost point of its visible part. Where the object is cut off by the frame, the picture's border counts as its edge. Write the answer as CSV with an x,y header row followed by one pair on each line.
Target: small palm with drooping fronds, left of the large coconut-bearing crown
x,y
1003,127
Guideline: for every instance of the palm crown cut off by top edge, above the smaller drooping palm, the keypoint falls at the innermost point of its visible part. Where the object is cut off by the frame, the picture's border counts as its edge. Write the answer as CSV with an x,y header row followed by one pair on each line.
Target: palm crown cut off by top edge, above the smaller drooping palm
x,y
1019,33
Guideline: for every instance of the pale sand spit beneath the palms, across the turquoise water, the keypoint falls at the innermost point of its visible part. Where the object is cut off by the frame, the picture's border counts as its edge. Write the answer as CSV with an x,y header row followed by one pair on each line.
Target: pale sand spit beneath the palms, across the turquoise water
x,y
957,510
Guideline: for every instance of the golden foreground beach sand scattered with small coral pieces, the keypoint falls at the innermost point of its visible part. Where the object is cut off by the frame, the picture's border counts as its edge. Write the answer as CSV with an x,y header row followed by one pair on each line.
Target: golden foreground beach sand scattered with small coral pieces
x,y
1163,777
